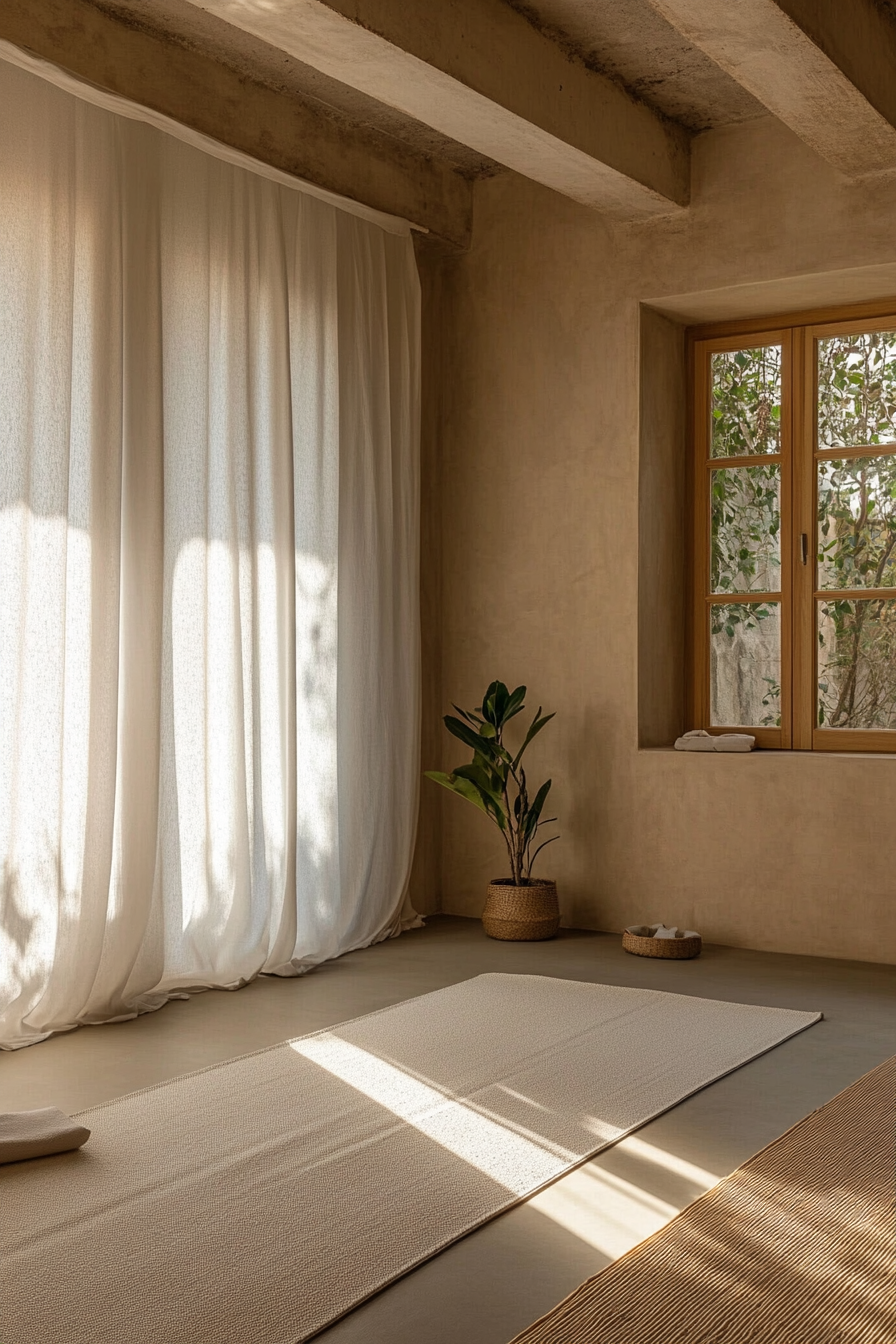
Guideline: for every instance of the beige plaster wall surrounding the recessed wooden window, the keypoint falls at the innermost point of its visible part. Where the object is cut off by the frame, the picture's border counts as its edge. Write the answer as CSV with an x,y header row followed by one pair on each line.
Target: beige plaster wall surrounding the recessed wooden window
x,y
537,542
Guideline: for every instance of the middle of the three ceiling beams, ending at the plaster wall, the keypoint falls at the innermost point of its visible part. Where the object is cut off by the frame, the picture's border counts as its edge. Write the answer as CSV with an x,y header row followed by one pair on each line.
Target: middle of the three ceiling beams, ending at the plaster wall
x,y
478,72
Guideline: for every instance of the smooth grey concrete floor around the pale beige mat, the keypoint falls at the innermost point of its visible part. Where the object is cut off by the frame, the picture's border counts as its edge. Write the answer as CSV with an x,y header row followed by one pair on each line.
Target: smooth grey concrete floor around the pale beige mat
x,y
488,1287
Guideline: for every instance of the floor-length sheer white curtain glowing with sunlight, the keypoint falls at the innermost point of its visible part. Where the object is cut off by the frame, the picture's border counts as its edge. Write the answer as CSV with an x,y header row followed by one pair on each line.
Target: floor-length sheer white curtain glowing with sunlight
x,y
209,601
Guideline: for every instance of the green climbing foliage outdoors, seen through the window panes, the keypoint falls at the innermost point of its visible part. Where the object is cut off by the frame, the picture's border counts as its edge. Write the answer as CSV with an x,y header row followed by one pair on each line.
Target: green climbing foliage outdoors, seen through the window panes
x,y
856,544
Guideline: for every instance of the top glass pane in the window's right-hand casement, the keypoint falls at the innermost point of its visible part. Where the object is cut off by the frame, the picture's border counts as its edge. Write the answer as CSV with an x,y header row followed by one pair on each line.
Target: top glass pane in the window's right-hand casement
x,y
858,390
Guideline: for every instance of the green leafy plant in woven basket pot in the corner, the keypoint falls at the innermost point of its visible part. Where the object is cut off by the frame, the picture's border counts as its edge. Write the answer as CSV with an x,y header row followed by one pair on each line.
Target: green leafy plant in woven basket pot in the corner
x,y
519,908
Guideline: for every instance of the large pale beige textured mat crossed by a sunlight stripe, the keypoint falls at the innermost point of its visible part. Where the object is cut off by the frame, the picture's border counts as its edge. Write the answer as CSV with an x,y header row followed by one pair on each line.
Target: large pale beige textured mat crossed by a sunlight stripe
x,y
259,1201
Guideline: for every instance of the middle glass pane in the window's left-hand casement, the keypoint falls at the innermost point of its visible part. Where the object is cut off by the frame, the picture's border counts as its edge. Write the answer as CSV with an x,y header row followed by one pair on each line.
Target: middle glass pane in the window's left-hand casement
x,y
746,529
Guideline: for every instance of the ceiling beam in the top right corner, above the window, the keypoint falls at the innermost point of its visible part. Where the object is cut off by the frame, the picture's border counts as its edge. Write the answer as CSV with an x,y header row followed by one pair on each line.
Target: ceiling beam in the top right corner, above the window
x,y
824,68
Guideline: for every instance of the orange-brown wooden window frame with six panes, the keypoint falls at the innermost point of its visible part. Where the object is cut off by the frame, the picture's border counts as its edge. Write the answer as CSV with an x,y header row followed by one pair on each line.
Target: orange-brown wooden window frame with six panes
x,y
797,335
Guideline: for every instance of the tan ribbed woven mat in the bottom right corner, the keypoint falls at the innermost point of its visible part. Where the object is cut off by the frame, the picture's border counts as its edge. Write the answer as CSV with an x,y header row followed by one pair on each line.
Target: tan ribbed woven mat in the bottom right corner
x,y
799,1247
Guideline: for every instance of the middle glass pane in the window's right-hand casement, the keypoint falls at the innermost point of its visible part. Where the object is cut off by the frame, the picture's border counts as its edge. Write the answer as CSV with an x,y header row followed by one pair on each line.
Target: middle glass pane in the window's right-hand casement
x,y
858,523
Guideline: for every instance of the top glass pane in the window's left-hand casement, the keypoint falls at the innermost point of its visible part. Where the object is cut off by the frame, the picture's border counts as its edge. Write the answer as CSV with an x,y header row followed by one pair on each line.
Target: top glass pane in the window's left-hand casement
x,y
746,403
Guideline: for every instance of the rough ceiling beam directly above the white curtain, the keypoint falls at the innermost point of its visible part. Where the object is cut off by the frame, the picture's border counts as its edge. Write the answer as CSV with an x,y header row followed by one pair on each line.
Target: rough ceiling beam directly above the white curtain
x,y
299,136
